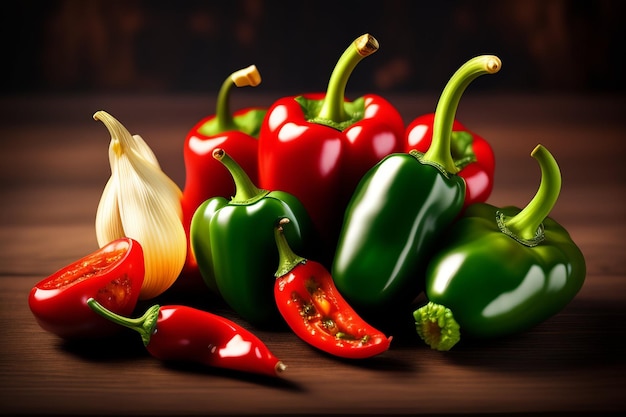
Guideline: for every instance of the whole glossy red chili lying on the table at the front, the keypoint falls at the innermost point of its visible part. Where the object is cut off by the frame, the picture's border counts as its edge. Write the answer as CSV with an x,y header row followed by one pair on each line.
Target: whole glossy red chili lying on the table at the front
x,y
186,334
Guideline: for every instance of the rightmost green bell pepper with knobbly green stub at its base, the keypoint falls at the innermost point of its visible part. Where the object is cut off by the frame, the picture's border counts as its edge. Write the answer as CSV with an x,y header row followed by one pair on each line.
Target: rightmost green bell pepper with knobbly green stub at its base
x,y
502,270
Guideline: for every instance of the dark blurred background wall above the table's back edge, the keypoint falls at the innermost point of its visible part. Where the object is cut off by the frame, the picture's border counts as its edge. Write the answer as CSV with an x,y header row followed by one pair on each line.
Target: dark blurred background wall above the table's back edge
x,y
75,46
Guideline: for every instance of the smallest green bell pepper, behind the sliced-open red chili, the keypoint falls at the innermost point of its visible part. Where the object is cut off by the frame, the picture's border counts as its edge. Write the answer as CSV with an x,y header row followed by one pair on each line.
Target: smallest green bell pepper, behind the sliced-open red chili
x,y
233,242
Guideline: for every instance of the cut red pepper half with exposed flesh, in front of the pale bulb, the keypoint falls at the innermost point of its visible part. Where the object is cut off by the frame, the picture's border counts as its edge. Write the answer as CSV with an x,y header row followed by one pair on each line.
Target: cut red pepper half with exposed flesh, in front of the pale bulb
x,y
113,275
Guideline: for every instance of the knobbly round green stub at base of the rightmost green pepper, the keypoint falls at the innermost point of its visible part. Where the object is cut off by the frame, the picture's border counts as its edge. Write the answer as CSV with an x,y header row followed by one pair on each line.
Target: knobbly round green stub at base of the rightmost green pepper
x,y
436,326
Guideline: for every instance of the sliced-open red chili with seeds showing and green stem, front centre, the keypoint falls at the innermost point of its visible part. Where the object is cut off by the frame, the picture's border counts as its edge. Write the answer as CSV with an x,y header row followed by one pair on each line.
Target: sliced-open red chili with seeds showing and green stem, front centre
x,y
314,309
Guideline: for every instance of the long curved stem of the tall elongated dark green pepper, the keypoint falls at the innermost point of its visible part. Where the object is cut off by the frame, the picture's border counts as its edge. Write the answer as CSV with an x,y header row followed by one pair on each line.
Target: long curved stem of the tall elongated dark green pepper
x,y
439,150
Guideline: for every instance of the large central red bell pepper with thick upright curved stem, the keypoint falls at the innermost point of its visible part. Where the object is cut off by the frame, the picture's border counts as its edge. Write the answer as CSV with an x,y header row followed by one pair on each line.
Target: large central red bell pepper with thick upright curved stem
x,y
318,146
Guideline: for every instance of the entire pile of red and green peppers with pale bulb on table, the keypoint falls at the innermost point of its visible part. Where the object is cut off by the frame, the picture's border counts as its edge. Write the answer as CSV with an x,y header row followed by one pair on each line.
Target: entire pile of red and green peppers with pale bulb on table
x,y
341,218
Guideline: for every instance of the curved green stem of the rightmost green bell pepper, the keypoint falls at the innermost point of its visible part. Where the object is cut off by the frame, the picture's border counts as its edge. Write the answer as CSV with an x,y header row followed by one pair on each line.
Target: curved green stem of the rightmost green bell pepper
x,y
527,222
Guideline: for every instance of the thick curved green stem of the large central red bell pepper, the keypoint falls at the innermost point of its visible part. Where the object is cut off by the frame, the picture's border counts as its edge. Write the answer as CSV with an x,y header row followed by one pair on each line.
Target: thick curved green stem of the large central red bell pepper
x,y
333,107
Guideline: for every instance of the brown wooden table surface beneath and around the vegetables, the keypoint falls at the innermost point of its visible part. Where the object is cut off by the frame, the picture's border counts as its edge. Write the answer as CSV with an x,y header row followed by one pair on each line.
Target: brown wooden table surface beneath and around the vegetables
x,y
53,166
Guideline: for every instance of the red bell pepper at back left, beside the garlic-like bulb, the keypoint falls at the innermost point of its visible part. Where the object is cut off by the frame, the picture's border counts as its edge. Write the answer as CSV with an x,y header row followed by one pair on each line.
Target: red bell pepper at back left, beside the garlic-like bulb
x,y
236,133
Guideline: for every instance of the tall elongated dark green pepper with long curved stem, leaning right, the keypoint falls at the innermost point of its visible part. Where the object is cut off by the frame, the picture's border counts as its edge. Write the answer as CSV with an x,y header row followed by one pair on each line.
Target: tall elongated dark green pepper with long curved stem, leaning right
x,y
399,209
